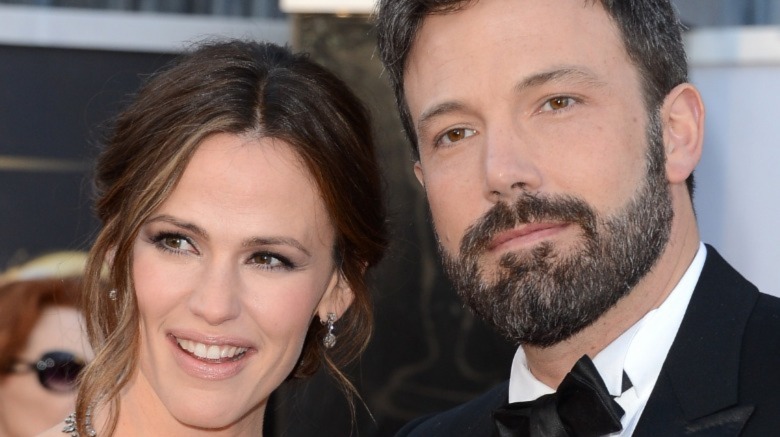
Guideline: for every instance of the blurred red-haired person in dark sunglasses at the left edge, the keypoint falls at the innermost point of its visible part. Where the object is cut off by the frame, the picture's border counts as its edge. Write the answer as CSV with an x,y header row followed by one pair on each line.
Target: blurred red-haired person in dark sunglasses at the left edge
x,y
42,344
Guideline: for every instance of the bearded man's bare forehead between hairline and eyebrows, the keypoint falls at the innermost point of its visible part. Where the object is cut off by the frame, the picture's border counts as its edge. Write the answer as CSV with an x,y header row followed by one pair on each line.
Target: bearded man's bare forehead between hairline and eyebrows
x,y
528,37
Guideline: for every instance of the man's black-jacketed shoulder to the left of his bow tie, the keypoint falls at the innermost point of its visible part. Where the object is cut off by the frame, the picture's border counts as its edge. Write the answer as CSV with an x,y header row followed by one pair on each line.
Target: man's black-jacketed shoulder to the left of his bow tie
x,y
473,418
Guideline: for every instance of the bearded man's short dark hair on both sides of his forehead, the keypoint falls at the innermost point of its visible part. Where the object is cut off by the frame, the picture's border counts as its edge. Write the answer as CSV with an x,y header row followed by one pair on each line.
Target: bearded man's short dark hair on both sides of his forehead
x,y
650,30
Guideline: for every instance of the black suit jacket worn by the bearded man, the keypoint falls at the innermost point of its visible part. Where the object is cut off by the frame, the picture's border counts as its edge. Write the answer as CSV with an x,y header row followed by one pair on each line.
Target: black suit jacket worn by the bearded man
x,y
720,378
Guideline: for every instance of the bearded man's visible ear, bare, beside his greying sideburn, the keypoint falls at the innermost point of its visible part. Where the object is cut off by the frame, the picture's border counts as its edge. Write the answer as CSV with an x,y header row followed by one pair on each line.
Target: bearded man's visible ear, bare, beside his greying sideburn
x,y
683,123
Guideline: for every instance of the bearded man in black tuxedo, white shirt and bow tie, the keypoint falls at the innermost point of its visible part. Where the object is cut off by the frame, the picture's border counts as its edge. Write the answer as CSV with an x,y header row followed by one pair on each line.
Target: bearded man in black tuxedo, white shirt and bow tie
x,y
556,142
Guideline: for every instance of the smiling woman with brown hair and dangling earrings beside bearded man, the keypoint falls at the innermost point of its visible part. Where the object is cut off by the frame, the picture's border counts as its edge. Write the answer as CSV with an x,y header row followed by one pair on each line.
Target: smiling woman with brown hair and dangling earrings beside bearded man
x,y
240,203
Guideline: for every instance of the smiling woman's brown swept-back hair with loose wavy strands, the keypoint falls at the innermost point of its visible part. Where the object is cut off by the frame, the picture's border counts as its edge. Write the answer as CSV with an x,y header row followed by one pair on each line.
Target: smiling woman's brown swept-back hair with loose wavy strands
x,y
235,87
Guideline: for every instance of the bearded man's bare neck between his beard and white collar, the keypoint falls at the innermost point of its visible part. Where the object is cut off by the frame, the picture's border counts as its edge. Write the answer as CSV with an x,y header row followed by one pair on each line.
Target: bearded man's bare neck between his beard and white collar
x,y
551,364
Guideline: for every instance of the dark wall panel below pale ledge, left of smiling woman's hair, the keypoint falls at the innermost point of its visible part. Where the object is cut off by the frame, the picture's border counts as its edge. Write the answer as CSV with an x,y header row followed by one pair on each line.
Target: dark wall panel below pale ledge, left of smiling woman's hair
x,y
55,105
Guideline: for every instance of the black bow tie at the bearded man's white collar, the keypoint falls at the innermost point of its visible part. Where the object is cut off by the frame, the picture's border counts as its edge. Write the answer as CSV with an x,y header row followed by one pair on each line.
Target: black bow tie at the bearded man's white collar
x,y
581,407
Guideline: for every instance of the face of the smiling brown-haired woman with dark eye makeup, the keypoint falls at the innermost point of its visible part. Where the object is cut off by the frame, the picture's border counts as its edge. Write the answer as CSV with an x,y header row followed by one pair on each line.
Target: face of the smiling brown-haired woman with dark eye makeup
x,y
229,273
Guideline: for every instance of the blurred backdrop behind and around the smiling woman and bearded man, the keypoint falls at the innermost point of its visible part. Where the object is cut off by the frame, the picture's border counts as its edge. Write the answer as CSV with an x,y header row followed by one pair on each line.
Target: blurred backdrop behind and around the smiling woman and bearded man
x,y
67,66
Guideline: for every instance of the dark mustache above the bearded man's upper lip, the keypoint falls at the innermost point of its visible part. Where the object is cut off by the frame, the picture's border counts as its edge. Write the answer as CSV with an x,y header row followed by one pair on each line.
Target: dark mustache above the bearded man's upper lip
x,y
527,208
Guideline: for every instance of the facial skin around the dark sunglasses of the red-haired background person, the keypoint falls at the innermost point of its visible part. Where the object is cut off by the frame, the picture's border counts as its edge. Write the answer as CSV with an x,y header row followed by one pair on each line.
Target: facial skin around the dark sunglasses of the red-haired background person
x,y
26,407
